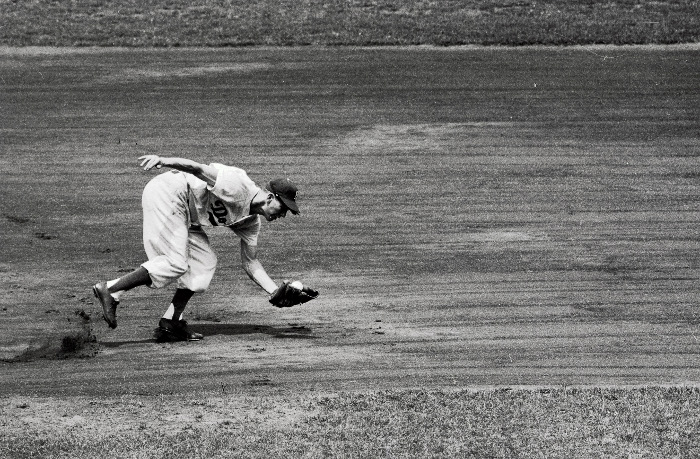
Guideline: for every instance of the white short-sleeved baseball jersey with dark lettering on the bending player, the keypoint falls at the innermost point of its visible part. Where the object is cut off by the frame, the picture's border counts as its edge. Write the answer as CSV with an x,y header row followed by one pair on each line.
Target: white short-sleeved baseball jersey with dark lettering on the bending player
x,y
227,203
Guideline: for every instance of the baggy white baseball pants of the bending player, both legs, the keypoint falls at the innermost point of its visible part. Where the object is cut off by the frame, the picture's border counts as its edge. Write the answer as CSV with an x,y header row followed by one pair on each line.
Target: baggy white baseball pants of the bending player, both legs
x,y
176,251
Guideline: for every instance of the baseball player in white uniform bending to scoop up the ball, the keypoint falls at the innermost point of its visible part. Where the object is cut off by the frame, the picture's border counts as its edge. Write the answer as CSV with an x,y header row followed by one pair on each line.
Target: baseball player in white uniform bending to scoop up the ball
x,y
177,206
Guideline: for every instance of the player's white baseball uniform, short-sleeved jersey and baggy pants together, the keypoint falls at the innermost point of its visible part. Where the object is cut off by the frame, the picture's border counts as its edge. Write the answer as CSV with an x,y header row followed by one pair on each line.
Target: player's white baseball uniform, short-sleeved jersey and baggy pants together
x,y
176,208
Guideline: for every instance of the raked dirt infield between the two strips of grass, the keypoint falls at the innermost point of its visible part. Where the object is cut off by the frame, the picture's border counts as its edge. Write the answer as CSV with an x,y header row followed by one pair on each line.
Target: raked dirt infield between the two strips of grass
x,y
471,217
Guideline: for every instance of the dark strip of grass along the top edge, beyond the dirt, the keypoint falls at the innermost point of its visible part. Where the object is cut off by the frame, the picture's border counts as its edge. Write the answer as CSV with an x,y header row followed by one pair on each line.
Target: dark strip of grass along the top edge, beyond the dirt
x,y
343,22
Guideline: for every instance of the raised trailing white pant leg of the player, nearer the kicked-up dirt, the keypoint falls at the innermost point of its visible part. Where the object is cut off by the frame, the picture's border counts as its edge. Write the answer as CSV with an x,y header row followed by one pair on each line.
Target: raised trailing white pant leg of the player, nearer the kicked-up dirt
x,y
165,228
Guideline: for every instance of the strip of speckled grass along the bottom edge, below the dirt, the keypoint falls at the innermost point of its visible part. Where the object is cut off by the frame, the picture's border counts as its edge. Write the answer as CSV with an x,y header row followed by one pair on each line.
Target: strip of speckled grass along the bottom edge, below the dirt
x,y
641,423
